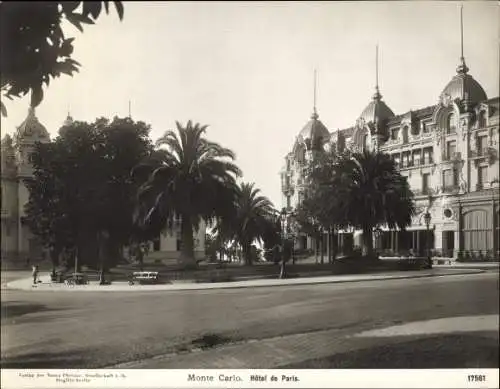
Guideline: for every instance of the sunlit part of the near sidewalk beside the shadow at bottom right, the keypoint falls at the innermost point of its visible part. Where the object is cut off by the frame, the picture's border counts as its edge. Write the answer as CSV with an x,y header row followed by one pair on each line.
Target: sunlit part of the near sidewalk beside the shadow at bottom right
x,y
278,352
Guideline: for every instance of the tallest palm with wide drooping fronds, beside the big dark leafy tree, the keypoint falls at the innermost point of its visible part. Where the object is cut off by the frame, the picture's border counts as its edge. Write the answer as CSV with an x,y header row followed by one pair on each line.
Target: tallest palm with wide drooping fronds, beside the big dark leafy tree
x,y
193,179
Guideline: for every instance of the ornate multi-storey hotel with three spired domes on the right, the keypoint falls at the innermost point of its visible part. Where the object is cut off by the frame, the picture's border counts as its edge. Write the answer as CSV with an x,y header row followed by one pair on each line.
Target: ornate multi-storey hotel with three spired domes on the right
x,y
448,152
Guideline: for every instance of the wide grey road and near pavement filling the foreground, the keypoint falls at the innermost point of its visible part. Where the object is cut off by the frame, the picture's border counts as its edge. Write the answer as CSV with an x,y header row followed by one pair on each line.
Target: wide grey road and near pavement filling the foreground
x,y
91,330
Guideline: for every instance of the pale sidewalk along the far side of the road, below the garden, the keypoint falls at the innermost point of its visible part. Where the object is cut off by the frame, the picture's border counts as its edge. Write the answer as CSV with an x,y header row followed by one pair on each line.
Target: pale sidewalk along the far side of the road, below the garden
x,y
46,285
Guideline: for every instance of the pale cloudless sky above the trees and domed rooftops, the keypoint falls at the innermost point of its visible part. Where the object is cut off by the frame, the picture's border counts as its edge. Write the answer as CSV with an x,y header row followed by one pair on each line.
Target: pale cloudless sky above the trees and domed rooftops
x,y
246,69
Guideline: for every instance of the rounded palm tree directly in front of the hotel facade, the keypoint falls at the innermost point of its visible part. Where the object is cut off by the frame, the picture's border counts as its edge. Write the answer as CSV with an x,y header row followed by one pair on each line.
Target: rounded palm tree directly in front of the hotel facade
x,y
367,192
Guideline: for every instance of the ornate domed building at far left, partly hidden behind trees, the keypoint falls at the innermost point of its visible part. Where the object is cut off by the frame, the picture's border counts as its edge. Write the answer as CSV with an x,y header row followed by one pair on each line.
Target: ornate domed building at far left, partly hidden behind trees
x,y
18,243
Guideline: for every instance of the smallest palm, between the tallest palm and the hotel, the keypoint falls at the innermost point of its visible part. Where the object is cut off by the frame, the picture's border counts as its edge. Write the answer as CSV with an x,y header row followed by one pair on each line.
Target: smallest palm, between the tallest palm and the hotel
x,y
253,213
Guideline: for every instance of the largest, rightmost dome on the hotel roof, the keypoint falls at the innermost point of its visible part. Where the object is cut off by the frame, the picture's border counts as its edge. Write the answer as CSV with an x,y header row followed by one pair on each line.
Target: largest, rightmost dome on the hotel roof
x,y
463,86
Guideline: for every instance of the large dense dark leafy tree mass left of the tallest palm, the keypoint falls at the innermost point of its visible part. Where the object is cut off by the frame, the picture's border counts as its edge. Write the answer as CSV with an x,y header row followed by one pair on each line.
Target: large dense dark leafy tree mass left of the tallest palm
x,y
82,187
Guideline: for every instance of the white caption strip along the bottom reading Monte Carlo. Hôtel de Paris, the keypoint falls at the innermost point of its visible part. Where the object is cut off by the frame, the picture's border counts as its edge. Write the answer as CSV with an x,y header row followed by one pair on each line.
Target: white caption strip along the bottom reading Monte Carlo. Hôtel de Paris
x,y
237,378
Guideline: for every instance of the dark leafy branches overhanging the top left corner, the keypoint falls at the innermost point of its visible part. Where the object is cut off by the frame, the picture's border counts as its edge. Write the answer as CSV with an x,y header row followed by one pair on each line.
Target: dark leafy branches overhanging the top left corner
x,y
34,46
